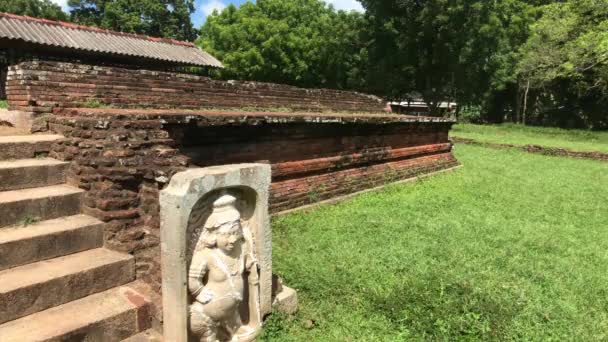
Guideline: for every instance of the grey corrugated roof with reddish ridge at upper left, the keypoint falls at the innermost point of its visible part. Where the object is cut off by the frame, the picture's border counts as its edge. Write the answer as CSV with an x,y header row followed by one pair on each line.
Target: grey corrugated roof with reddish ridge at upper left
x,y
72,36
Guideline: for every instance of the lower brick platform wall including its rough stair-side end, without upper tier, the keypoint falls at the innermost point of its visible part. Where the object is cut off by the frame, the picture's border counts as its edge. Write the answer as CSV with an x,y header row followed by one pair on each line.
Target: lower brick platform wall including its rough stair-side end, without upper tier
x,y
124,158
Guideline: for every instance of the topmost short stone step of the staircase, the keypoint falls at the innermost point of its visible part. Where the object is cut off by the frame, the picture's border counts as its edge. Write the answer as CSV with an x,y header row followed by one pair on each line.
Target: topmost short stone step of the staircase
x,y
26,146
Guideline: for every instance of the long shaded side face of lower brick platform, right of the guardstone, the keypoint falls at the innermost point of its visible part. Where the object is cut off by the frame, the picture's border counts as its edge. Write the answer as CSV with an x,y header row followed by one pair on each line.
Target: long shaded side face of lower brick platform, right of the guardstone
x,y
312,162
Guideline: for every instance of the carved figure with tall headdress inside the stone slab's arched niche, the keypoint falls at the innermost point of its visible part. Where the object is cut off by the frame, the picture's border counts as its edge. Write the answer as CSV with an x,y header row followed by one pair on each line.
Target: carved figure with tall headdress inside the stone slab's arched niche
x,y
223,277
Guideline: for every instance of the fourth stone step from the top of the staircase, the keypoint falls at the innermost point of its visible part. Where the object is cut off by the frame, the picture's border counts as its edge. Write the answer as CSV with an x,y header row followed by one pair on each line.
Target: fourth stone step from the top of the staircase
x,y
49,239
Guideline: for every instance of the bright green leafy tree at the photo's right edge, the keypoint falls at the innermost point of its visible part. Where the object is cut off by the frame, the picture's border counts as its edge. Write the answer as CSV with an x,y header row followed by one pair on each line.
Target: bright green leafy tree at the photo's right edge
x,y
565,64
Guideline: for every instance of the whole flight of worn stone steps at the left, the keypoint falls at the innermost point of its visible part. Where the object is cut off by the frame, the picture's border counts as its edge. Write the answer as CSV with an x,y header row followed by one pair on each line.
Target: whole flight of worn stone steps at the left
x,y
57,282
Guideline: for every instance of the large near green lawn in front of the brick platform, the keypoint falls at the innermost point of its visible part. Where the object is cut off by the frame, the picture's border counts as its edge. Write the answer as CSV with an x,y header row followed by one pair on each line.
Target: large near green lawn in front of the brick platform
x,y
513,246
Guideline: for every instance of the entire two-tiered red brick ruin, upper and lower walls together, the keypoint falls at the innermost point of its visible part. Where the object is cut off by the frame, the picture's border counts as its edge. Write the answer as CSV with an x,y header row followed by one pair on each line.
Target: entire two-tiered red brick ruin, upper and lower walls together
x,y
124,153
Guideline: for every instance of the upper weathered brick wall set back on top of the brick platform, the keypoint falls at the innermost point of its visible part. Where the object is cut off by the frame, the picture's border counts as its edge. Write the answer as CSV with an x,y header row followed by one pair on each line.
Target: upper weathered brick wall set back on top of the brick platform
x,y
42,86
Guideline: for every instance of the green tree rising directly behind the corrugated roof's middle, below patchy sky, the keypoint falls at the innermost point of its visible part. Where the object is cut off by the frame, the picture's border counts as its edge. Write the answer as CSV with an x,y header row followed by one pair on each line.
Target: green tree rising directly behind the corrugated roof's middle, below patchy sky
x,y
160,18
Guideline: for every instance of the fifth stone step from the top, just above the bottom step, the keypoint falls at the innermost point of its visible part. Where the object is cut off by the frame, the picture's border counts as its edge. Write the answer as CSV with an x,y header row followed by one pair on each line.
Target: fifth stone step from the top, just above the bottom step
x,y
35,287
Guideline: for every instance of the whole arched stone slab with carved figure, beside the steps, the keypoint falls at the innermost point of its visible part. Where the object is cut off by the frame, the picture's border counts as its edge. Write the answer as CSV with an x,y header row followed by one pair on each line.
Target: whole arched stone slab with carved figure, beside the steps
x,y
216,252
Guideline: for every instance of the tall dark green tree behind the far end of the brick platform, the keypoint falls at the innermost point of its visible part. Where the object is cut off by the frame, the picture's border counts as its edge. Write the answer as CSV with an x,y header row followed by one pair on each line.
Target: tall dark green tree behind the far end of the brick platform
x,y
446,49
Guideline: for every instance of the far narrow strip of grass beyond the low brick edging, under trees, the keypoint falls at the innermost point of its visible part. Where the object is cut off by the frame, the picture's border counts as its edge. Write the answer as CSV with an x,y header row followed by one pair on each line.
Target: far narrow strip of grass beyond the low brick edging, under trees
x,y
578,140
